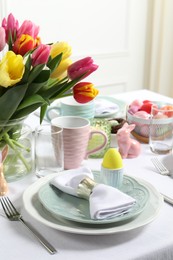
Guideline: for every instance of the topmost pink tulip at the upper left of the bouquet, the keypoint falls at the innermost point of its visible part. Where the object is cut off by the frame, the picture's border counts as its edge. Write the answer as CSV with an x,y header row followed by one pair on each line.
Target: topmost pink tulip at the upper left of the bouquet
x,y
11,26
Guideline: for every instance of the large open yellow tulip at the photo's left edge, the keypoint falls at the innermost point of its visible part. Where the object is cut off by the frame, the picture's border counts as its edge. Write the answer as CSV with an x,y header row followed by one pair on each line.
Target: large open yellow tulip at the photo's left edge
x,y
11,69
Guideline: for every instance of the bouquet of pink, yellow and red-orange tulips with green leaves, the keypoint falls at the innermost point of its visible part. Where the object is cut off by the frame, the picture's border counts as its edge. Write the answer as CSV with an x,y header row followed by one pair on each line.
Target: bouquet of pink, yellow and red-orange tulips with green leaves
x,y
34,74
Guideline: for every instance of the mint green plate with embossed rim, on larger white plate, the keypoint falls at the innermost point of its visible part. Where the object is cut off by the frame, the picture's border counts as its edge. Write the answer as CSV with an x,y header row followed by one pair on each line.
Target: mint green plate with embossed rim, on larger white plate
x,y
60,204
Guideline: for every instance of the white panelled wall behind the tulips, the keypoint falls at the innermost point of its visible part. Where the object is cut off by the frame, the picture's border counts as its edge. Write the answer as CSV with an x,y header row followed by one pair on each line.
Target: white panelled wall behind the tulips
x,y
112,32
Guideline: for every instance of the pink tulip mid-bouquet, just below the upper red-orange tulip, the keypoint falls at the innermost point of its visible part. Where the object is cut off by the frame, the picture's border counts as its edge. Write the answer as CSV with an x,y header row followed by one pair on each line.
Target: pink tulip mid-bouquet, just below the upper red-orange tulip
x,y
40,55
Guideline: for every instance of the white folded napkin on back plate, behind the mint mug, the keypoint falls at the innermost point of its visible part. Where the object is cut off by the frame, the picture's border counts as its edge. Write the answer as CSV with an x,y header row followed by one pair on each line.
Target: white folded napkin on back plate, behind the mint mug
x,y
104,106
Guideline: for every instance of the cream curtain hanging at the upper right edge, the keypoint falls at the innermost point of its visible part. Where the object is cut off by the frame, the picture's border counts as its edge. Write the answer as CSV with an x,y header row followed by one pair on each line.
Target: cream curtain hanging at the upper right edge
x,y
159,54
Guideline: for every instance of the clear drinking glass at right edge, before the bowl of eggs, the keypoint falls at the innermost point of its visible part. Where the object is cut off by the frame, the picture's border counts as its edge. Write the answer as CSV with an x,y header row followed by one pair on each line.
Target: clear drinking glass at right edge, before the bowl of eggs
x,y
161,130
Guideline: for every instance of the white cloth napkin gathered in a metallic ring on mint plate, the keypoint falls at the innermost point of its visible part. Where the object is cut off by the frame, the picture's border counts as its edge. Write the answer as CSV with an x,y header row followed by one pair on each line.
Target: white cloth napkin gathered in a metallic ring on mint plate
x,y
104,201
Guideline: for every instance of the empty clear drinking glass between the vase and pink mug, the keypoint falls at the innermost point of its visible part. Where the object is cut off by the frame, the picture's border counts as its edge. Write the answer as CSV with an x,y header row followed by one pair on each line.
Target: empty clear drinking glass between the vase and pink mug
x,y
49,152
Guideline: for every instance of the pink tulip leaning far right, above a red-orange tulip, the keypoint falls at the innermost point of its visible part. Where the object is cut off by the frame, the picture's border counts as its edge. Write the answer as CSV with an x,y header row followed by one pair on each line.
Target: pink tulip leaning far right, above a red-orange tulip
x,y
80,67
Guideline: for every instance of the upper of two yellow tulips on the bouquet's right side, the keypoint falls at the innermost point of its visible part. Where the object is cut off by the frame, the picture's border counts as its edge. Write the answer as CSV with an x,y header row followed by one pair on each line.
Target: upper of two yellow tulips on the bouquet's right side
x,y
61,47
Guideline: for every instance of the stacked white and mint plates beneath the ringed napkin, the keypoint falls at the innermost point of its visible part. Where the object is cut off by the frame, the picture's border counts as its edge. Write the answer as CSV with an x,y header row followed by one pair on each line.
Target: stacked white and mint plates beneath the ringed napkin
x,y
70,214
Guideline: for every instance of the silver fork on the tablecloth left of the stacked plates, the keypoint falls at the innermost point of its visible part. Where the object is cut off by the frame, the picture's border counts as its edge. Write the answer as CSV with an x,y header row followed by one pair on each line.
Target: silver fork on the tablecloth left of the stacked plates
x,y
13,215
